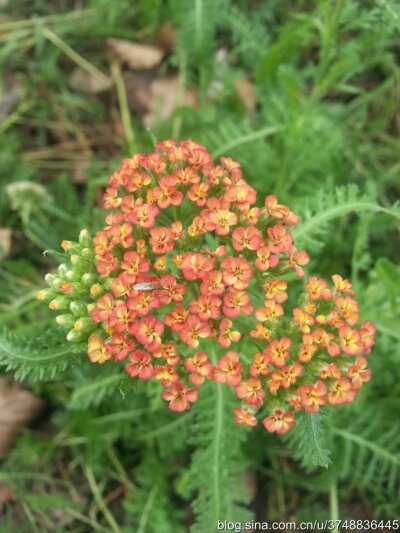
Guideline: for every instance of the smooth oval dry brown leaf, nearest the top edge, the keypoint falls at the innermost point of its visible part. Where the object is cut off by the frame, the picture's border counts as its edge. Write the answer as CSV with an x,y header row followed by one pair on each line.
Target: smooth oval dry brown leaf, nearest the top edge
x,y
135,56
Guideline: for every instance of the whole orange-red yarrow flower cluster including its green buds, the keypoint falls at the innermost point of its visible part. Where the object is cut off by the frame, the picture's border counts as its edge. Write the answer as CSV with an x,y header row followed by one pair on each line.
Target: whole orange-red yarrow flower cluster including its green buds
x,y
188,275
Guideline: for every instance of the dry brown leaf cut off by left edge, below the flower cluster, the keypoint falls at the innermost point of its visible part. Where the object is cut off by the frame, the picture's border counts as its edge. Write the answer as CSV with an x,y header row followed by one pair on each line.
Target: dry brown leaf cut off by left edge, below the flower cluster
x,y
18,407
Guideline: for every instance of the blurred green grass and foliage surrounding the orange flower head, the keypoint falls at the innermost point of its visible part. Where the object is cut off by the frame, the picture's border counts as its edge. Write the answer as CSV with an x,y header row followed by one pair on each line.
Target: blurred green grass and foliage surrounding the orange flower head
x,y
305,95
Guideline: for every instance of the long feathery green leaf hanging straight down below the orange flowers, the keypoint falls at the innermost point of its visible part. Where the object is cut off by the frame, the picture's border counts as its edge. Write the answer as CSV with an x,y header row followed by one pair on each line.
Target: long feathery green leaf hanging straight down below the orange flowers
x,y
218,462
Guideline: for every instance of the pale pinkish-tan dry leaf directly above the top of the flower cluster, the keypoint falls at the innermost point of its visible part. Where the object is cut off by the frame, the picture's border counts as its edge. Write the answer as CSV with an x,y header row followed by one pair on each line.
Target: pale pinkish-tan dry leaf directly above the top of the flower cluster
x,y
164,98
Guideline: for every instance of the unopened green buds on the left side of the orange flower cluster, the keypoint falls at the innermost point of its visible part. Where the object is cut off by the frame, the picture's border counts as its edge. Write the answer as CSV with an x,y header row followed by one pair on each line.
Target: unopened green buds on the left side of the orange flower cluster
x,y
74,288
